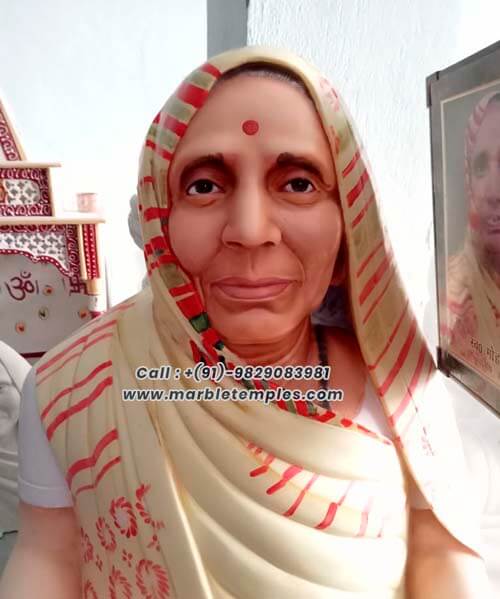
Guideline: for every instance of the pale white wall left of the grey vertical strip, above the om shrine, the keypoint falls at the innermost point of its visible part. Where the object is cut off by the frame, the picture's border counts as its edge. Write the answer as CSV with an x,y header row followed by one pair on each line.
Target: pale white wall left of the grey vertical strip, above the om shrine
x,y
84,80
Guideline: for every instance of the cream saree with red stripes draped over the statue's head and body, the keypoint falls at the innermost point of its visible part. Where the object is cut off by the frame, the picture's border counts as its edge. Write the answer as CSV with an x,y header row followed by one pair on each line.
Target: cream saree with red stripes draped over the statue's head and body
x,y
242,500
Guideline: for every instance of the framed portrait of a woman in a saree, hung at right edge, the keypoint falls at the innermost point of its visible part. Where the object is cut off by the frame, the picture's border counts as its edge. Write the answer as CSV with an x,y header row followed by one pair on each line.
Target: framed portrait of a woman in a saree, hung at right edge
x,y
464,105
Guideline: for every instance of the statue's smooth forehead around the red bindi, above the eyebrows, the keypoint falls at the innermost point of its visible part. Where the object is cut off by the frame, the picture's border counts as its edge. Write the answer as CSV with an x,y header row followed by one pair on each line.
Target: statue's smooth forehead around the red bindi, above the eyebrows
x,y
286,117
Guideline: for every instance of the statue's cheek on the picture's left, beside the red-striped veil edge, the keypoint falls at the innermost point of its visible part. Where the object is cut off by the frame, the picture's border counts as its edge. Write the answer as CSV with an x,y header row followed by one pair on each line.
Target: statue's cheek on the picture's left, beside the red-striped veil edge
x,y
194,237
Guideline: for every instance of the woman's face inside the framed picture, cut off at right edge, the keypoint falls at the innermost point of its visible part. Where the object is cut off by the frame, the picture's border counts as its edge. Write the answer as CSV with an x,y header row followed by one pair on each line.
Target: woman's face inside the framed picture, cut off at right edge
x,y
486,178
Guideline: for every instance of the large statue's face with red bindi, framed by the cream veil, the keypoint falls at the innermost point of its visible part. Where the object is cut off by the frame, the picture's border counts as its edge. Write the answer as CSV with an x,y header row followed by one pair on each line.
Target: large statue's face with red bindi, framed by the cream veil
x,y
254,218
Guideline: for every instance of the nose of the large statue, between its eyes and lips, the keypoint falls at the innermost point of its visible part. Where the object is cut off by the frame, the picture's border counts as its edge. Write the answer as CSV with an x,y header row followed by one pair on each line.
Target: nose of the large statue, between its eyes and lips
x,y
250,222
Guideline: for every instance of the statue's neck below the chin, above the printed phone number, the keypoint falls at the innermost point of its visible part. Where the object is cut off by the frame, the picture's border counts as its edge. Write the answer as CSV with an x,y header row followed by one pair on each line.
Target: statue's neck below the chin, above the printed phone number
x,y
293,348
